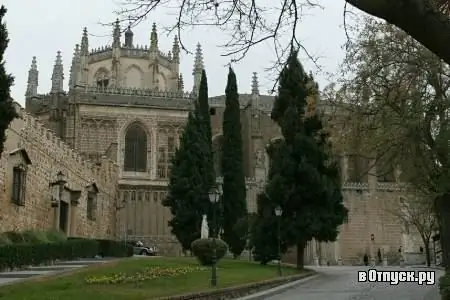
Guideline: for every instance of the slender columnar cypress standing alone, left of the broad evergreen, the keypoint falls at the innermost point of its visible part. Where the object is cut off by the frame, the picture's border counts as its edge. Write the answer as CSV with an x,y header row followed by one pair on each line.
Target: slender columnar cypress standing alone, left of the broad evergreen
x,y
234,193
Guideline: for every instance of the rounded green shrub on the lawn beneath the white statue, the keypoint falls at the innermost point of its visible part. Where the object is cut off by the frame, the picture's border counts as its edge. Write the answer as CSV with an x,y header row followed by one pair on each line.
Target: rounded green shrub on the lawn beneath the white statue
x,y
203,250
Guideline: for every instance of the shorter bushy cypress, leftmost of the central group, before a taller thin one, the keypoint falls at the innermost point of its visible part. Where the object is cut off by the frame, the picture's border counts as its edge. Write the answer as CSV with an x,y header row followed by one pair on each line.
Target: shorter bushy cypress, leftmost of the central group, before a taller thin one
x,y
188,191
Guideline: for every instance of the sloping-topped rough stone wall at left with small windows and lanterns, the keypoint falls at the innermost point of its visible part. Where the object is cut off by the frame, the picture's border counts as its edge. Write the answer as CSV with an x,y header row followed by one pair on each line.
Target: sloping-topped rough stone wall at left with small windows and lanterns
x,y
48,155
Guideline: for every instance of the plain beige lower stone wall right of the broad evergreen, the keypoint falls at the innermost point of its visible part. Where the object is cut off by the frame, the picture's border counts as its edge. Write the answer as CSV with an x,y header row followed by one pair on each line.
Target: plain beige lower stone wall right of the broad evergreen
x,y
369,214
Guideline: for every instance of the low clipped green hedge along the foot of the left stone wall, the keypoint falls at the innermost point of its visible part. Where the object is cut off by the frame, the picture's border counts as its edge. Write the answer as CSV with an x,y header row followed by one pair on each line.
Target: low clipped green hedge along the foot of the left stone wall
x,y
16,256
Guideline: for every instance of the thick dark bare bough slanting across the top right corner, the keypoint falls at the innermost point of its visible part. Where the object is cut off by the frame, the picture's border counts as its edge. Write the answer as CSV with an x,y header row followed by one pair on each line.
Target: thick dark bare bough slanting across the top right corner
x,y
417,18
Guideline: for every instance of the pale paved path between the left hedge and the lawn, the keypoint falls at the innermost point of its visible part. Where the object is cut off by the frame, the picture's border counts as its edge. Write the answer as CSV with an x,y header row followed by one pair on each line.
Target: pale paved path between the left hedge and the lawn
x,y
59,267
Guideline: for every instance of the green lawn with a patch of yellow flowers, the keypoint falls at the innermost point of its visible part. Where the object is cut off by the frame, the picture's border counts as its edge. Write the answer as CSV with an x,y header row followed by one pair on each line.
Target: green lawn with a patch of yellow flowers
x,y
163,277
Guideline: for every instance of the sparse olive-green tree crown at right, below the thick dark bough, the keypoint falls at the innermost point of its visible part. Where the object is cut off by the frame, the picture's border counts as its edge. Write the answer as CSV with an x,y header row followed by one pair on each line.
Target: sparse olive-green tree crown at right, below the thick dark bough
x,y
395,95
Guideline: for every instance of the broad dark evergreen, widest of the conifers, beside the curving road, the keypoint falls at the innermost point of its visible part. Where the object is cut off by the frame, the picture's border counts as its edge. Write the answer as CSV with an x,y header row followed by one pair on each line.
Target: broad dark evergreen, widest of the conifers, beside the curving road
x,y
303,179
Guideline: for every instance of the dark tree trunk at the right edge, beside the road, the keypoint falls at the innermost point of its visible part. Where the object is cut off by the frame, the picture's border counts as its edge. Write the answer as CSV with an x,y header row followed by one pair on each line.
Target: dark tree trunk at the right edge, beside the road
x,y
443,206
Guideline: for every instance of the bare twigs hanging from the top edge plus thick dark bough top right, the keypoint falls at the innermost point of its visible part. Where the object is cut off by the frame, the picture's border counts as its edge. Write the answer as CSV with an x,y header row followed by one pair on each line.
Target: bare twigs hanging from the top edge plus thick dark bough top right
x,y
249,23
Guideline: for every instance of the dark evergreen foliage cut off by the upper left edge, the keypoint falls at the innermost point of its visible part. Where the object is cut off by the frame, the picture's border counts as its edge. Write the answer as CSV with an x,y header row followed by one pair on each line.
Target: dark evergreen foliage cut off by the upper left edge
x,y
7,110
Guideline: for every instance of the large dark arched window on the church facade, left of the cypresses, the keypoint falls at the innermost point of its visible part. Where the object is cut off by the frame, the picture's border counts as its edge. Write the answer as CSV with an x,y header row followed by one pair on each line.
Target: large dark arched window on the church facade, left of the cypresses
x,y
135,149
